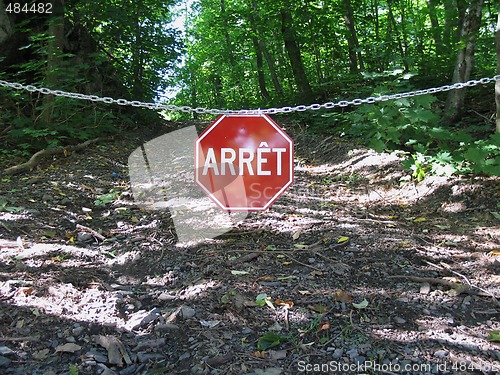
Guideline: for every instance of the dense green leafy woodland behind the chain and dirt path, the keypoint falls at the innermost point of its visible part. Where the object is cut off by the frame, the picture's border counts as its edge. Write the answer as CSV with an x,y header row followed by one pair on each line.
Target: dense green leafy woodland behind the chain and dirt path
x,y
257,54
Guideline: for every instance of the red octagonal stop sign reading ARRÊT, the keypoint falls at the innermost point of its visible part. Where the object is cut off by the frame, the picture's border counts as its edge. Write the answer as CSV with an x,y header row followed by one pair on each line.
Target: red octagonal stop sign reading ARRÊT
x,y
244,162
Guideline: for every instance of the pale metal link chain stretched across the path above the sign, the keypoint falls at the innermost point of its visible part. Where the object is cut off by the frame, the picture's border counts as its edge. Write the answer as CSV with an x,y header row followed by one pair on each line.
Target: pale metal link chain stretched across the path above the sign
x,y
215,111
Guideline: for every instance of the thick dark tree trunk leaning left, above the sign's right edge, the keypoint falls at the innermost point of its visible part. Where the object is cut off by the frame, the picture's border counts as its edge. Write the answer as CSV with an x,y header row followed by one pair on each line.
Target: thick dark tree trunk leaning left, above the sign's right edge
x,y
293,51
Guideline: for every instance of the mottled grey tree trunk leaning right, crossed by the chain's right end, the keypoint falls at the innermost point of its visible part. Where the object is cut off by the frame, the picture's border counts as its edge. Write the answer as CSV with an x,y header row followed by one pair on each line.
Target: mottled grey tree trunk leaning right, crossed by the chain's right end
x,y
465,60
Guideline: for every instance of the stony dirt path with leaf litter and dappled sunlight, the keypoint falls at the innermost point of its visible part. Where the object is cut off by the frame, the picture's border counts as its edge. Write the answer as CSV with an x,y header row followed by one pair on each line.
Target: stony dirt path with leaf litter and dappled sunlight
x,y
351,271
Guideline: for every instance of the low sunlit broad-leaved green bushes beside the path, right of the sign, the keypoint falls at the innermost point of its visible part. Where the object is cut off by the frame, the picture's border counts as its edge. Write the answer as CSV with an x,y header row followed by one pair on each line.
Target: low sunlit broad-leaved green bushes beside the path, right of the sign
x,y
413,126
